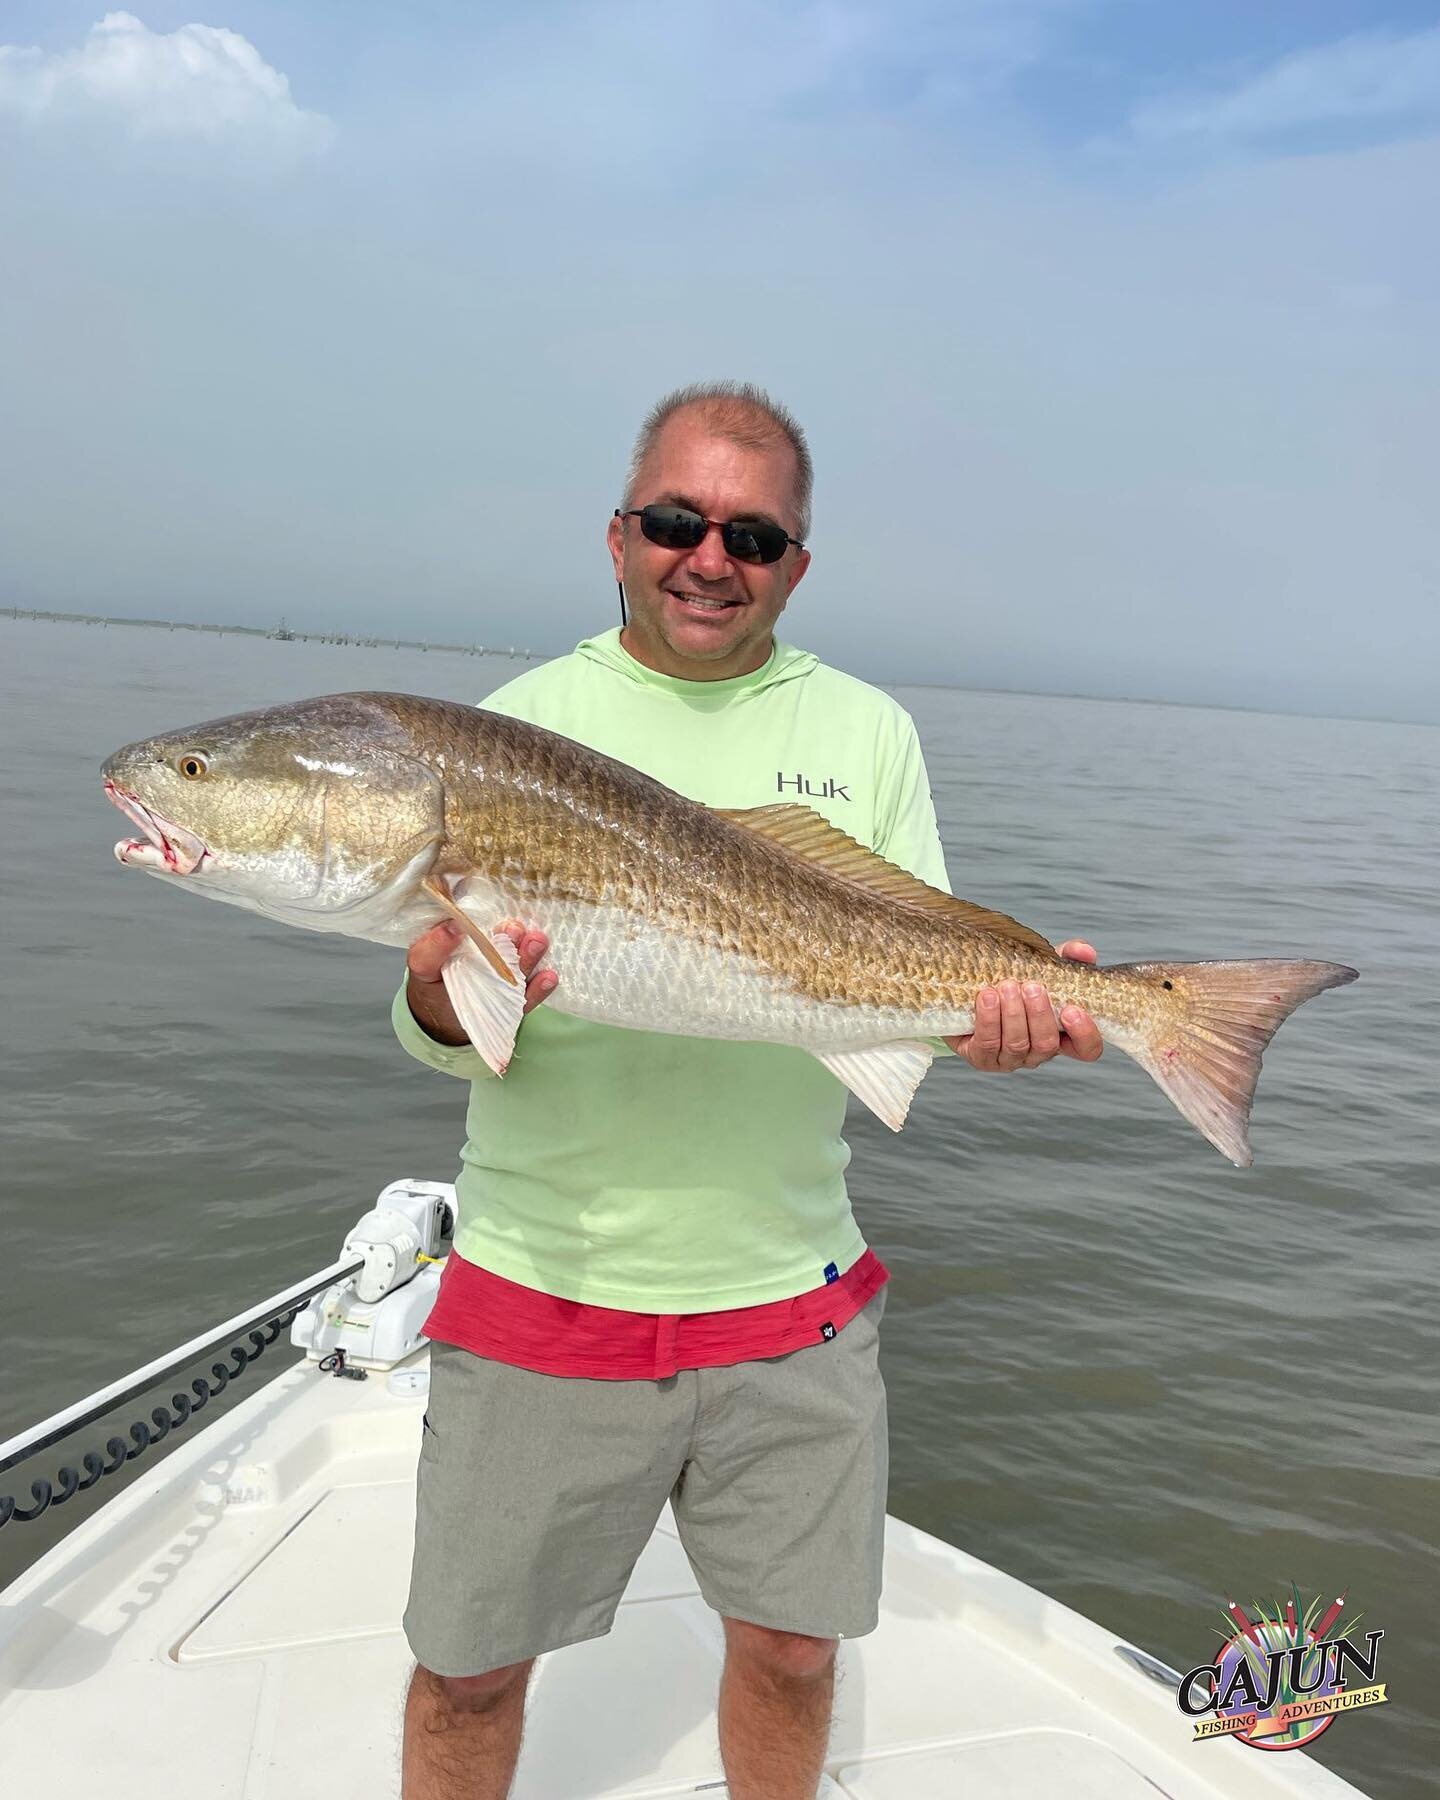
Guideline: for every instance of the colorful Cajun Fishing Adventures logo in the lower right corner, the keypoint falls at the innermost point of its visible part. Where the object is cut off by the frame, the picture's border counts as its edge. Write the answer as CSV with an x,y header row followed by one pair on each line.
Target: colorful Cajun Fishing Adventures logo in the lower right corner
x,y
1279,1678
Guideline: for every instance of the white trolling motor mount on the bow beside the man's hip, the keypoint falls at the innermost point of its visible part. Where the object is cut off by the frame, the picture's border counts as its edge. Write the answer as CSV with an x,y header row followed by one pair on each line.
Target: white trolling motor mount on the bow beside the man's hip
x,y
373,1317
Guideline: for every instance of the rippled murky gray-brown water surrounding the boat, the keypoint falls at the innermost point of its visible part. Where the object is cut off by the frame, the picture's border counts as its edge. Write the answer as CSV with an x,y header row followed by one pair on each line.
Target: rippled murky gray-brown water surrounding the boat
x,y
1120,1369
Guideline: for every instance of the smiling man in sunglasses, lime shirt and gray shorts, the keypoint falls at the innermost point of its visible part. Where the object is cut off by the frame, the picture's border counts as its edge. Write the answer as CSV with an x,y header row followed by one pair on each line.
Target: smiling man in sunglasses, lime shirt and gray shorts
x,y
660,1290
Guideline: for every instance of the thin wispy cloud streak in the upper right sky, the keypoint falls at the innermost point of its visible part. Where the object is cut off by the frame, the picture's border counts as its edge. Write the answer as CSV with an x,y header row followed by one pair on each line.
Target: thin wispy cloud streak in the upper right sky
x,y
1365,78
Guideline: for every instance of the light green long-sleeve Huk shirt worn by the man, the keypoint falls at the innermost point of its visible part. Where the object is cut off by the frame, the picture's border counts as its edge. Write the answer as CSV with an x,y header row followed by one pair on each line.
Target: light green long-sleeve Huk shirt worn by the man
x,y
676,1174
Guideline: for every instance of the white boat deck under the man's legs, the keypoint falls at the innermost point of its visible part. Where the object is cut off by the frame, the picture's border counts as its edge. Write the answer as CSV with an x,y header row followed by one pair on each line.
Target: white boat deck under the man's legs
x,y
229,1628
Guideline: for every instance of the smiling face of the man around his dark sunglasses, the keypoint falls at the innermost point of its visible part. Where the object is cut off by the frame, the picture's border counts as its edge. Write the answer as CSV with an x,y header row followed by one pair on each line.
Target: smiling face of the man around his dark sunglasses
x,y
699,615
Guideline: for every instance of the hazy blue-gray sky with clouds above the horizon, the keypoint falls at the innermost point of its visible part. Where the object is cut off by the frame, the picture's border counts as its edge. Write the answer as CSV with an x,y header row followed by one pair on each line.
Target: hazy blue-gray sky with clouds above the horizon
x,y
1113,325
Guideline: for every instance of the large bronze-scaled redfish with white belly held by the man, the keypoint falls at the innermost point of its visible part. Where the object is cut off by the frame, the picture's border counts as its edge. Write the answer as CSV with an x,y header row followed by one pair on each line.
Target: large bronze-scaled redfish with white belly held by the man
x,y
379,814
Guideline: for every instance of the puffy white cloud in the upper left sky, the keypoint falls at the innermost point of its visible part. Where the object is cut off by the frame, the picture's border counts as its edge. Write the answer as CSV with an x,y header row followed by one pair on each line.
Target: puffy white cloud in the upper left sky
x,y
199,82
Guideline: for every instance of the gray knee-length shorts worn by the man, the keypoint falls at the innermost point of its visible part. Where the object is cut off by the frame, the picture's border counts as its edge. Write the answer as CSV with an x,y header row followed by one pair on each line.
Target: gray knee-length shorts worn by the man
x,y
537,1495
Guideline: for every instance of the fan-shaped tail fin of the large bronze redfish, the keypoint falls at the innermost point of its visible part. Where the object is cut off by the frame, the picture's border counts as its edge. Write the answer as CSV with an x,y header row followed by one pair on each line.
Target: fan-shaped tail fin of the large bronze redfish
x,y
1207,1054
